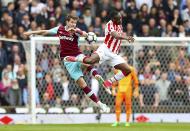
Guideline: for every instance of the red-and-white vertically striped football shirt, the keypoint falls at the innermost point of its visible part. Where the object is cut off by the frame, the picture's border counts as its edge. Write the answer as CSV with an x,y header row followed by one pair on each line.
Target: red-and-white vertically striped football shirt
x,y
112,43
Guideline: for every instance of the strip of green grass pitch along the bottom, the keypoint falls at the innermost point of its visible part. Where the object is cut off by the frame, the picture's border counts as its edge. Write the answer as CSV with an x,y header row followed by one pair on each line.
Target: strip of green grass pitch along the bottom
x,y
99,127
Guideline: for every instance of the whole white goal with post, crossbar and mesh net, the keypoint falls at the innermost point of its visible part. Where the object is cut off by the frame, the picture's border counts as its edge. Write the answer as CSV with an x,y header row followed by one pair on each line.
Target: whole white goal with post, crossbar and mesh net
x,y
162,65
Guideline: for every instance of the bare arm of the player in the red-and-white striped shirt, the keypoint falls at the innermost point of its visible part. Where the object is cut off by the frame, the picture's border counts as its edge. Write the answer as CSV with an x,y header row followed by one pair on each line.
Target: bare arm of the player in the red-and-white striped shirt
x,y
121,37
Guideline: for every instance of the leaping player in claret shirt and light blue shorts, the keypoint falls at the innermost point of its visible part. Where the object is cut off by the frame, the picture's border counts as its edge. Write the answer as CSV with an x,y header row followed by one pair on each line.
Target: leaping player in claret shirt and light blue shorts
x,y
69,36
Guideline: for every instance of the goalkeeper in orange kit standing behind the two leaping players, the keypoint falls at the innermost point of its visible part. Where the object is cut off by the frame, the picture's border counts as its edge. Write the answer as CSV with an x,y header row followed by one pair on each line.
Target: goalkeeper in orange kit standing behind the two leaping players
x,y
124,92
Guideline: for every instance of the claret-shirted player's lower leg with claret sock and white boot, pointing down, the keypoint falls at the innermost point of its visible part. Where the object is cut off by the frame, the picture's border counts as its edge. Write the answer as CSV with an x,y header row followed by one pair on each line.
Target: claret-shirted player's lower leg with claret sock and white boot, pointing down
x,y
82,84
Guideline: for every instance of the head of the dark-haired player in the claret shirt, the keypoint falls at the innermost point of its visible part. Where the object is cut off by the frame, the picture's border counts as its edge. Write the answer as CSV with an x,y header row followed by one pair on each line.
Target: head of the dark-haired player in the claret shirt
x,y
71,21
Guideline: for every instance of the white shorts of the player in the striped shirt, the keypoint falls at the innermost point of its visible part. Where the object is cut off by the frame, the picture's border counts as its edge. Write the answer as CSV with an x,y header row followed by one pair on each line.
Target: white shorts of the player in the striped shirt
x,y
108,56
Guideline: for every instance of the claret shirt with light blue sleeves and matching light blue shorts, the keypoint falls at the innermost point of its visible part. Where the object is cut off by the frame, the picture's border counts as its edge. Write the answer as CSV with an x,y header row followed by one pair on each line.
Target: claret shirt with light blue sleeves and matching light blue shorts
x,y
69,47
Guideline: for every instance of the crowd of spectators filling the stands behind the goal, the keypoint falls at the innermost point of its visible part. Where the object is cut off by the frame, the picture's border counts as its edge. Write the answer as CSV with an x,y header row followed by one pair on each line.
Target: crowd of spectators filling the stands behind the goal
x,y
164,73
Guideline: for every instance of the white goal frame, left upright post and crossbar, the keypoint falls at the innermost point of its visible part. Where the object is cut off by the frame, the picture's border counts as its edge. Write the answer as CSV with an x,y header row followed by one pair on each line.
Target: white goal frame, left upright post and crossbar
x,y
138,44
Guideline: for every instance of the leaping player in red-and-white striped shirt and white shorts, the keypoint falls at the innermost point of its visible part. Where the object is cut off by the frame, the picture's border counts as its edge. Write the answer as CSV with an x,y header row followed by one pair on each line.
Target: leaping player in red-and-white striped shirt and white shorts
x,y
108,51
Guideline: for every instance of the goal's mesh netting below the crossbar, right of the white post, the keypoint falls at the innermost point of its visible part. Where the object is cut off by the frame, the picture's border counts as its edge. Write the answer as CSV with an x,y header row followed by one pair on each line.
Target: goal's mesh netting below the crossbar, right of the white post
x,y
154,61
